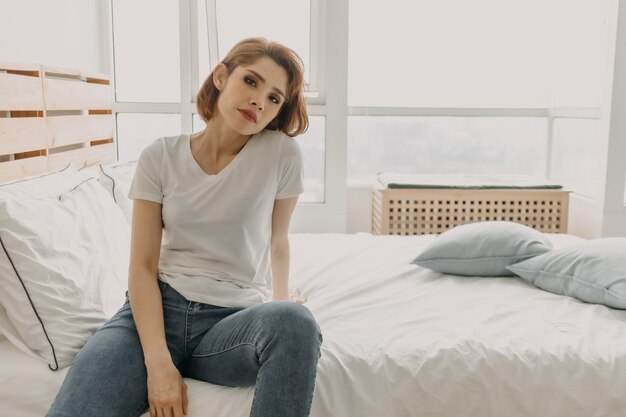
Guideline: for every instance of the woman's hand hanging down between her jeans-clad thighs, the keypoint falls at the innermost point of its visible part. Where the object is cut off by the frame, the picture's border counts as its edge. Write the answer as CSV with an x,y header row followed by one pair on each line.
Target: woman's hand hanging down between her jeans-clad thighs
x,y
167,392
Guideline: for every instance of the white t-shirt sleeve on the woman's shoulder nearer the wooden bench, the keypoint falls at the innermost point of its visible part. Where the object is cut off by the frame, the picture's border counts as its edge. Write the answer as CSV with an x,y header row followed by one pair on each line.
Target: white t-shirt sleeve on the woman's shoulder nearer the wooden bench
x,y
291,173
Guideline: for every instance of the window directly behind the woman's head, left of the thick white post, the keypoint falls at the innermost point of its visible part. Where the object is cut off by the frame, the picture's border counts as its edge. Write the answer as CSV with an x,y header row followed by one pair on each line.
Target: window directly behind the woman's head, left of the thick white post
x,y
154,98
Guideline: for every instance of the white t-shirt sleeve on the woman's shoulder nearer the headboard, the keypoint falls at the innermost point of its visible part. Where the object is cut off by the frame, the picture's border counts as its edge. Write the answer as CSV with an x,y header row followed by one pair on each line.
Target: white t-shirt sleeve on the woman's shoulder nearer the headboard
x,y
146,183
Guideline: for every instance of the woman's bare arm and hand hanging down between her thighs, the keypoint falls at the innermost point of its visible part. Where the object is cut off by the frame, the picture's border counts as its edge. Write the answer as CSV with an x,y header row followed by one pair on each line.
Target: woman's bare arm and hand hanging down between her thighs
x,y
166,388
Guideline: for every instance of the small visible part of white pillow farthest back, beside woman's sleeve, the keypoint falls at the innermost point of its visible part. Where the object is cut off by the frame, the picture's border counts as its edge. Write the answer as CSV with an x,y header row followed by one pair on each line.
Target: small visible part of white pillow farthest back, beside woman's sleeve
x,y
116,179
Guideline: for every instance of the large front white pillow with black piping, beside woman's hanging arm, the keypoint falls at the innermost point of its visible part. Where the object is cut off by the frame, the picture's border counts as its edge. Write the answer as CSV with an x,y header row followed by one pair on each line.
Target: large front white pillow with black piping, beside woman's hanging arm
x,y
63,269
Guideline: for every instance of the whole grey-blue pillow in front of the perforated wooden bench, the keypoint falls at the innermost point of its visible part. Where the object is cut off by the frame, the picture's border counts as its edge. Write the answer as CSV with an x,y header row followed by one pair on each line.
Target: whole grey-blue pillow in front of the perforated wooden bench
x,y
483,248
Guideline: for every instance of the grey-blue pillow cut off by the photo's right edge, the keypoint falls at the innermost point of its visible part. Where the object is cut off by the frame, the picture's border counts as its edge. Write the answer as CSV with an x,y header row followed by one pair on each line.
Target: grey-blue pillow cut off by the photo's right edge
x,y
593,271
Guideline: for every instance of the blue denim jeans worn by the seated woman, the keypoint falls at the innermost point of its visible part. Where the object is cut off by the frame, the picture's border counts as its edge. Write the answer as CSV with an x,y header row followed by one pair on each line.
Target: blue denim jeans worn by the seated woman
x,y
274,346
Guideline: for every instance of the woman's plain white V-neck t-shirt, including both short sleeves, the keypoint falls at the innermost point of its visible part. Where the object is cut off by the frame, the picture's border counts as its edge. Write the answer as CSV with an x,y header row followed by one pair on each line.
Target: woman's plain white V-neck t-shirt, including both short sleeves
x,y
217,228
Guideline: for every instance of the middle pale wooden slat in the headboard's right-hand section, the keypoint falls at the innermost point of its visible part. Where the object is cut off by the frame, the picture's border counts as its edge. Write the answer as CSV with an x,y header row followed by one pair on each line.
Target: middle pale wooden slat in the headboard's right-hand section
x,y
68,130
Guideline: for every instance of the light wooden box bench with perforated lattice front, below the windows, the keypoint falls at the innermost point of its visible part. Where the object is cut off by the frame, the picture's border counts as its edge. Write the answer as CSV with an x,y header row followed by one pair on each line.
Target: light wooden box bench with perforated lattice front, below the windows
x,y
427,211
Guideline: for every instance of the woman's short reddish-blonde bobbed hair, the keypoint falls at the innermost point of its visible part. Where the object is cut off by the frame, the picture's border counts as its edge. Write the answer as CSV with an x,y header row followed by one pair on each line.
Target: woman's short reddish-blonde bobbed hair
x,y
292,119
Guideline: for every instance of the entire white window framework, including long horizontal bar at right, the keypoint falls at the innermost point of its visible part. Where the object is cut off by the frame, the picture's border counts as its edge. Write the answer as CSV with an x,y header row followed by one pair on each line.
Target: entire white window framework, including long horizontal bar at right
x,y
329,73
